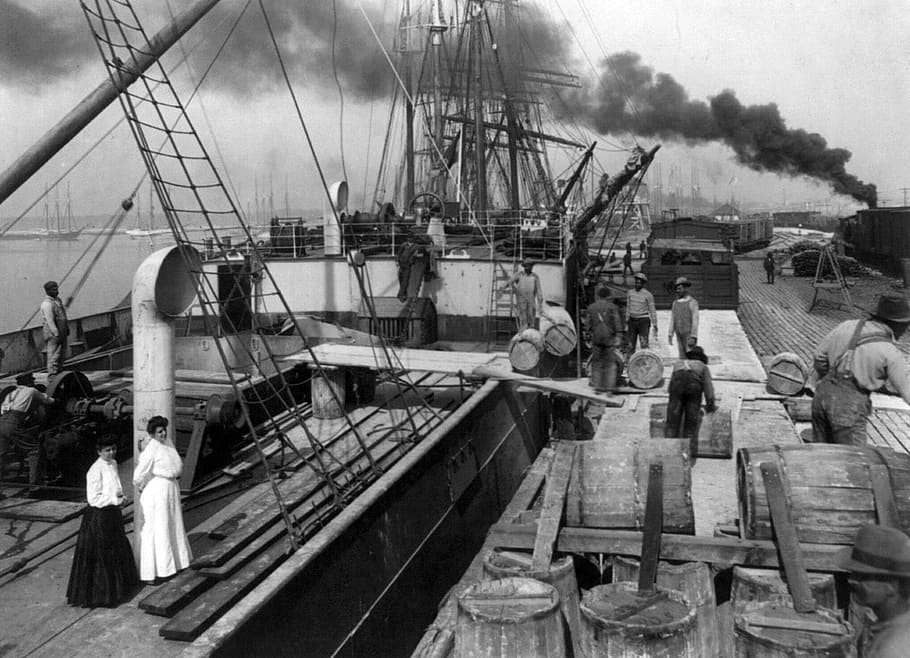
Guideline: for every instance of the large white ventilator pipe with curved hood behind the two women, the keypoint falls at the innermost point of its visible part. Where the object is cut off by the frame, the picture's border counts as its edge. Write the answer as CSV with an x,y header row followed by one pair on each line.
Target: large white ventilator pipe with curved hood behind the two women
x,y
162,290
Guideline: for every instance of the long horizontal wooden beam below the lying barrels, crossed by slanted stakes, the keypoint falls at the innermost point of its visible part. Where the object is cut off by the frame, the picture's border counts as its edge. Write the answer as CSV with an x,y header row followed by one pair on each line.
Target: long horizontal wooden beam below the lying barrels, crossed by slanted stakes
x,y
685,548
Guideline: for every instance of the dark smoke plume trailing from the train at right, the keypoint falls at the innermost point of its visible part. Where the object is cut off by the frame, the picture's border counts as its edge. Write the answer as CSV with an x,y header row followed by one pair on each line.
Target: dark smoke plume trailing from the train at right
x,y
631,98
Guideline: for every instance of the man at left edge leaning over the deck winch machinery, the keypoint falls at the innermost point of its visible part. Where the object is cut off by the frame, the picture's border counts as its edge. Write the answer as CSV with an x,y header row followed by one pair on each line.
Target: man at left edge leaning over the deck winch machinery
x,y
20,420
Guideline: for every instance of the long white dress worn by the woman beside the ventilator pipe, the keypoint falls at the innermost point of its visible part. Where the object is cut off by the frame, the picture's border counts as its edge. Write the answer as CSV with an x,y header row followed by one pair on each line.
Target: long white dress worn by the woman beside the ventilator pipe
x,y
163,545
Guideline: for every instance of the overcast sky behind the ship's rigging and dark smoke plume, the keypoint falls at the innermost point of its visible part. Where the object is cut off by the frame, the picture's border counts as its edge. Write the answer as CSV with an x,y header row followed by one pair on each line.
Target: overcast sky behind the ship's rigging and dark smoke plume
x,y
837,68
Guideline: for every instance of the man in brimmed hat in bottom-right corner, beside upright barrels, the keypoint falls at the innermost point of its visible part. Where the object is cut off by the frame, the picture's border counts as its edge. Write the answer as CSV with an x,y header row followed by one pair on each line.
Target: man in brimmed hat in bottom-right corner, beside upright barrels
x,y
879,566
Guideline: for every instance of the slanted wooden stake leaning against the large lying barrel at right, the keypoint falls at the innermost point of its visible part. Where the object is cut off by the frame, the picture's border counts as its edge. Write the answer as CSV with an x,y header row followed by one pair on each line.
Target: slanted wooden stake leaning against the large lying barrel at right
x,y
785,533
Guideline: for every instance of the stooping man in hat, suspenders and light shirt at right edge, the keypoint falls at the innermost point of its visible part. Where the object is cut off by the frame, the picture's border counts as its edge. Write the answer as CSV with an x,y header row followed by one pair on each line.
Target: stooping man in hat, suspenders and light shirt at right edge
x,y
854,359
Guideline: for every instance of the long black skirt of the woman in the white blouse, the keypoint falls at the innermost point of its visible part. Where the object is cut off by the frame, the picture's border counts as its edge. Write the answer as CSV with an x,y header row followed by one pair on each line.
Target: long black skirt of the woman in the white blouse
x,y
104,571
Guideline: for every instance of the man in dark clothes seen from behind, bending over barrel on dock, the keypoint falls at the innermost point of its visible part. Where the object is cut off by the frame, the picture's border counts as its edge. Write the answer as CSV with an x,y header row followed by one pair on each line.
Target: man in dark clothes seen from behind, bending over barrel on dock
x,y
689,381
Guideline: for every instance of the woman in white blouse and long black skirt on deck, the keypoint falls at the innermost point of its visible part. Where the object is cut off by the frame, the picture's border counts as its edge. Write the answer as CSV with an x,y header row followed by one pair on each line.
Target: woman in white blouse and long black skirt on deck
x,y
103,571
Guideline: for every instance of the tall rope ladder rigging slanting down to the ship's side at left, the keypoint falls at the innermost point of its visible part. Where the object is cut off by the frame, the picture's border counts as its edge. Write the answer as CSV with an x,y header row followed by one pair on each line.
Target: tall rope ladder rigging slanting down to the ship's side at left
x,y
233,284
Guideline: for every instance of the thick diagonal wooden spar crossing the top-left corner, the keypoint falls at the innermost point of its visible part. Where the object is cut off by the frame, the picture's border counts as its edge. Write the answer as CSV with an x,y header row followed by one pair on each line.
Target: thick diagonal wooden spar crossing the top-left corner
x,y
93,104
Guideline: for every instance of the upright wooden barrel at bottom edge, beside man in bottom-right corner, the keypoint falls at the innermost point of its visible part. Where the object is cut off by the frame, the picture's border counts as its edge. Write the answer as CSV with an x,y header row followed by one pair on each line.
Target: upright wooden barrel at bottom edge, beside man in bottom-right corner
x,y
768,630
